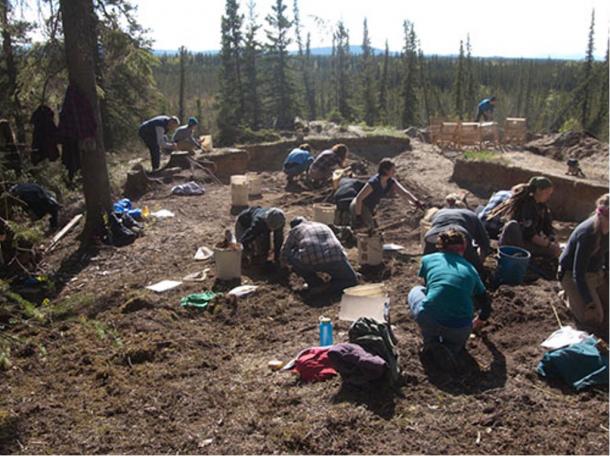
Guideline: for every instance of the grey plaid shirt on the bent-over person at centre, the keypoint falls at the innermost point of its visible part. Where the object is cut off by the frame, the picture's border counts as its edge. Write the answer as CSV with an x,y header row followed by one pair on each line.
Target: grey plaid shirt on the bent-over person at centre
x,y
312,243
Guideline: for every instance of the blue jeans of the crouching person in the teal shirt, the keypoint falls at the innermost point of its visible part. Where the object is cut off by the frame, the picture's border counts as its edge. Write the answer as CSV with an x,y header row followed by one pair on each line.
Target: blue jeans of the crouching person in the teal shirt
x,y
432,331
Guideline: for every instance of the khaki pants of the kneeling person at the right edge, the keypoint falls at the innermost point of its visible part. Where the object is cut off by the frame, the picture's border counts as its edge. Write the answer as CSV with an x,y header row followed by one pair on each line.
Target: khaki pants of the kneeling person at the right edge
x,y
597,311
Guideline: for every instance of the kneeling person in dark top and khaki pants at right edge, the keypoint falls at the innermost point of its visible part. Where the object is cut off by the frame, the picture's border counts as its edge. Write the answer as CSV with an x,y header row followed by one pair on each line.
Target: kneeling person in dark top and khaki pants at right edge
x,y
583,268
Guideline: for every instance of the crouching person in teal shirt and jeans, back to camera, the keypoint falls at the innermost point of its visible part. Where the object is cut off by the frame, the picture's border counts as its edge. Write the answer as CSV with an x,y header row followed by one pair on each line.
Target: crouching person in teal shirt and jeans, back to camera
x,y
444,307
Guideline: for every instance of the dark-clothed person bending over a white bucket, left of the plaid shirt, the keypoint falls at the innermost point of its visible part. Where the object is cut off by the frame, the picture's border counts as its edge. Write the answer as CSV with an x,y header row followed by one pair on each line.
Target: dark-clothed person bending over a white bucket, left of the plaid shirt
x,y
253,229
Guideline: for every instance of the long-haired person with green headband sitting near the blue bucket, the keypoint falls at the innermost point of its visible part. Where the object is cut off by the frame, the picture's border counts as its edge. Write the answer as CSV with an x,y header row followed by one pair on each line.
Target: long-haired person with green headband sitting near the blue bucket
x,y
528,220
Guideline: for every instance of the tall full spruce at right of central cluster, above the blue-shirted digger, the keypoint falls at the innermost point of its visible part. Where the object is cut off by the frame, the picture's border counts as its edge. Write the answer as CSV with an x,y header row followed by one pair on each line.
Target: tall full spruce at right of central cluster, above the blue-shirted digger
x,y
281,88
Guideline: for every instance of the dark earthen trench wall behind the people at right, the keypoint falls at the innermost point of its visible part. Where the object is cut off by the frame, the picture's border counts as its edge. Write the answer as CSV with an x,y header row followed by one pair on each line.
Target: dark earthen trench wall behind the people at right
x,y
572,201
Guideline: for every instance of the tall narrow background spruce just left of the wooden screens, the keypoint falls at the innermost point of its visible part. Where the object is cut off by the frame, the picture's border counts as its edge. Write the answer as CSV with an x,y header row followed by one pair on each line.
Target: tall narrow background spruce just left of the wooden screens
x,y
409,81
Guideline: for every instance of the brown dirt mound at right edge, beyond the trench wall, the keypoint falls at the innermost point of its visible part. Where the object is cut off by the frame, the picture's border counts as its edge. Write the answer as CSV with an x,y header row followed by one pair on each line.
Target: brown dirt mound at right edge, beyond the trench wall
x,y
570,144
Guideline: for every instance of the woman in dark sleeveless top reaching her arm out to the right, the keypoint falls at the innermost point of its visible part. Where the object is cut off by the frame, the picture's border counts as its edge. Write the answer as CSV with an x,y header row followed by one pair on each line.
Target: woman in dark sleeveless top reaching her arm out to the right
x,y
379,186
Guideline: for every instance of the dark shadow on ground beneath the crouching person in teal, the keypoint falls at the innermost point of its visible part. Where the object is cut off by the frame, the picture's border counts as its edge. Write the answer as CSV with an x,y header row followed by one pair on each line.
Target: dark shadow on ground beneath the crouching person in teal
x,y
469,377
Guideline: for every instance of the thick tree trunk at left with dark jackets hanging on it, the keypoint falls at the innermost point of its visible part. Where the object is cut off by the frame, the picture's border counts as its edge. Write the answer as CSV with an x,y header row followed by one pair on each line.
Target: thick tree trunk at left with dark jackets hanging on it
x,y
79,34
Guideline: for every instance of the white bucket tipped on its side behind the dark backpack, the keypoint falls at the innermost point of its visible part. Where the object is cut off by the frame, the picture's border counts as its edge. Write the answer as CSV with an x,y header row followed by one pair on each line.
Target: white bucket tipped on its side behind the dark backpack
x,y
364,301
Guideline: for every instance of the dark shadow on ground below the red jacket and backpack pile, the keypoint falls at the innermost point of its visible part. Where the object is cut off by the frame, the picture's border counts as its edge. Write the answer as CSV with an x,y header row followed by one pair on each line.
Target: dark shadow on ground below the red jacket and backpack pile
x,y
377,397
